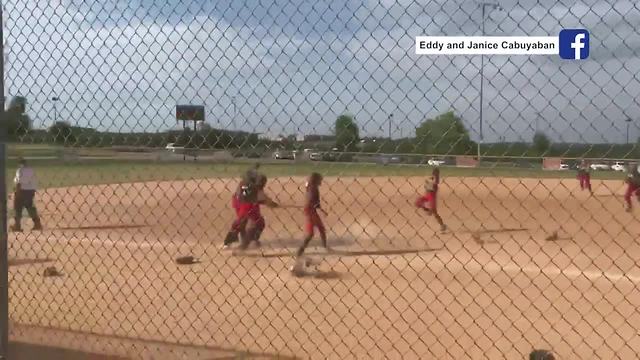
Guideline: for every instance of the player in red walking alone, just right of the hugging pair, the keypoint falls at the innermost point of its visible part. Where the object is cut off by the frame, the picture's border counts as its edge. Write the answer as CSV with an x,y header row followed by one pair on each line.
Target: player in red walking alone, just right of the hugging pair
x,y
313,220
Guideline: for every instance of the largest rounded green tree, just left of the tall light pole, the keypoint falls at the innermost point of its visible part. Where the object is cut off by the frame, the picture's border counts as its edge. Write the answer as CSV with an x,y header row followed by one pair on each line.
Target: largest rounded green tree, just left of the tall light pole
x,y
445,134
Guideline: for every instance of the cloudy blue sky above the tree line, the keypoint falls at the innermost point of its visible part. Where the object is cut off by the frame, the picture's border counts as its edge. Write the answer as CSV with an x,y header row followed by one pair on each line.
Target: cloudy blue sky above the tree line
x,y
294,66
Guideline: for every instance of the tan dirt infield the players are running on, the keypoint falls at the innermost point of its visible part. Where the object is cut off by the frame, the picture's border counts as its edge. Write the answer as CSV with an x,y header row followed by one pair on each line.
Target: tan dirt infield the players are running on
x,y
492,287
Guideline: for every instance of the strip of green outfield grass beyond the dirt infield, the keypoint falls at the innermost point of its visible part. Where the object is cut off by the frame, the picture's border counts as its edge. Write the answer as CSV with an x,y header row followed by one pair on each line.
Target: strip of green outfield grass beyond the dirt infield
x,y
57,173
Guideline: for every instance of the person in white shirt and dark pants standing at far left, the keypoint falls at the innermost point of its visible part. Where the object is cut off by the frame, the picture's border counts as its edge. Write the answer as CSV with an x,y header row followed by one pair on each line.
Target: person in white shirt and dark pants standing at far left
x,y
25,186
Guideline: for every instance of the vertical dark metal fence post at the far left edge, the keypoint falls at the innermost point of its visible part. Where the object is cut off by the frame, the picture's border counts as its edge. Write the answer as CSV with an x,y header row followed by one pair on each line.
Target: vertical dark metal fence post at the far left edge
x,y
4,255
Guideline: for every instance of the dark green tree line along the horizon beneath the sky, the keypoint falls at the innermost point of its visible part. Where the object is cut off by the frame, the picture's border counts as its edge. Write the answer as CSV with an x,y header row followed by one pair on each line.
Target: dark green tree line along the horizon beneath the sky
x,y
444,134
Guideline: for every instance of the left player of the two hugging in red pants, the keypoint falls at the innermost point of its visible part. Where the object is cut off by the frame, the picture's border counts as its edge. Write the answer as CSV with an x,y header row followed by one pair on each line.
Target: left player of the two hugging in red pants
x,y
243,201
